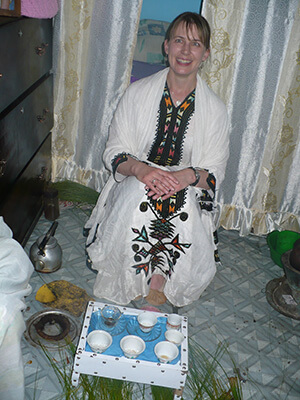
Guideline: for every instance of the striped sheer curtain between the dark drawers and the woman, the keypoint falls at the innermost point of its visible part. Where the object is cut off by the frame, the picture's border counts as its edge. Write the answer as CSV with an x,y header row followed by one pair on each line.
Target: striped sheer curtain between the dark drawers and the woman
x,y
94,42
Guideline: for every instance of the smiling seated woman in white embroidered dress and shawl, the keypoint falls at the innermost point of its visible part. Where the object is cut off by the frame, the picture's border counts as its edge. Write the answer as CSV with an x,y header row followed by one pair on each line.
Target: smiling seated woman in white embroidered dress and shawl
x,y
151,232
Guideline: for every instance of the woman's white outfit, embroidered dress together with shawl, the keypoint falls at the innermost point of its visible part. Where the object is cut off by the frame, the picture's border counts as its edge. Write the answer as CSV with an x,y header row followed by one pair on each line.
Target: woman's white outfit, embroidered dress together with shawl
x,y
130,235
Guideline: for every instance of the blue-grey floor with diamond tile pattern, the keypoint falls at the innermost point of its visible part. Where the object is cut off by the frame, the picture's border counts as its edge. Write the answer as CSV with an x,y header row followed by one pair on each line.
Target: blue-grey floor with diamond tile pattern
x,y
264,343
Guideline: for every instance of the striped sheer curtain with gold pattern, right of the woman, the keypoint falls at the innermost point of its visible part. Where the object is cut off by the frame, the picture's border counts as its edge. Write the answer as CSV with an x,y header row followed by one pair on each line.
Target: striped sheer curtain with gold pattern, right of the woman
x,y
255,68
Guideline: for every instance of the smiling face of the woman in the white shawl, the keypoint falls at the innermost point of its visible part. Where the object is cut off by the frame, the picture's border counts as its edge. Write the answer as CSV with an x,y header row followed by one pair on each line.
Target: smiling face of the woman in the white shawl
x,y
185,51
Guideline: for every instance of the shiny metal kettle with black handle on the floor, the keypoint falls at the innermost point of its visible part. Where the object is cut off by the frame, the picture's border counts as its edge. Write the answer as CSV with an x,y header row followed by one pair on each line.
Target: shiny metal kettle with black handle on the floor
x,y
46,254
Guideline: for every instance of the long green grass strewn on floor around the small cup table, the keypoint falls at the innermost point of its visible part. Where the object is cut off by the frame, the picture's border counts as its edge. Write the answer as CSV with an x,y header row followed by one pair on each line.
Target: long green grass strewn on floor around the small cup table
x,y
207,379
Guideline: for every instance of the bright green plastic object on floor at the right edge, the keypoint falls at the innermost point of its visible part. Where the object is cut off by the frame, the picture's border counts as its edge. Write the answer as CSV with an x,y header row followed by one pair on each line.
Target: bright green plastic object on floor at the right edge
x,y
280,242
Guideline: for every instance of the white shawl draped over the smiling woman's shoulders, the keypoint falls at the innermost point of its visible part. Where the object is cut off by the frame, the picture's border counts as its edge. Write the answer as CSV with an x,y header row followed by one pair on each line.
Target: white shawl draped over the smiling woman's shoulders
x,y
136,118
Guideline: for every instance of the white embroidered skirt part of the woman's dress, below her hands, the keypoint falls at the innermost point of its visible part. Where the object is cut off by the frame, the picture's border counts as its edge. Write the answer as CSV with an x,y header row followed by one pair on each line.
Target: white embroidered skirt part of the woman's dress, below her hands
x,y
121,247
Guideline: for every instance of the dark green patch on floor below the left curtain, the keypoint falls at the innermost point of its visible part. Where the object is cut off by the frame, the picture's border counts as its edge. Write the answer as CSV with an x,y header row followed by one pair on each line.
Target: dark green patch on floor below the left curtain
x,y
75,192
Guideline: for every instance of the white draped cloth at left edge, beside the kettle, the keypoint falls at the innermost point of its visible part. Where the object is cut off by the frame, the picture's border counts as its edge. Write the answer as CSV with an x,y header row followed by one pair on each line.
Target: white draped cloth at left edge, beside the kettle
x,y
15,272
